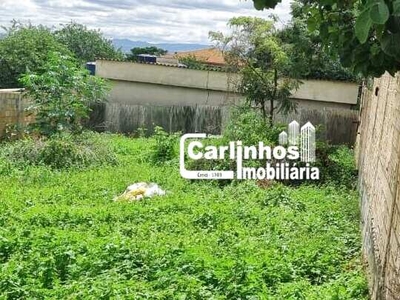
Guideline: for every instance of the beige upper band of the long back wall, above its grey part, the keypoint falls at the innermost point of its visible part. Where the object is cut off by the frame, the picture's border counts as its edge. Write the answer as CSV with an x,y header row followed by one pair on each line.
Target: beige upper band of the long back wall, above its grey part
x,y
315,90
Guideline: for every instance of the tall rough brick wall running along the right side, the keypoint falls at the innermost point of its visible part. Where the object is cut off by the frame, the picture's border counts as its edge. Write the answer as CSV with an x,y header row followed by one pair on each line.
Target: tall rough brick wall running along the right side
x,y
378,162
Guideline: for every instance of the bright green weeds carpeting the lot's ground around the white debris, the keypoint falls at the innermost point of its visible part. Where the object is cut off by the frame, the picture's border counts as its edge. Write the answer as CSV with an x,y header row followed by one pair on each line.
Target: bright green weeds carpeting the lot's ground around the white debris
x,y
62,236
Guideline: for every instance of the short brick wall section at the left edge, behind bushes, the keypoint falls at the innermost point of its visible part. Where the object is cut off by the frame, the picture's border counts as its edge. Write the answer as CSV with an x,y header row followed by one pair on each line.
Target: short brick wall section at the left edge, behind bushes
x,y
12,109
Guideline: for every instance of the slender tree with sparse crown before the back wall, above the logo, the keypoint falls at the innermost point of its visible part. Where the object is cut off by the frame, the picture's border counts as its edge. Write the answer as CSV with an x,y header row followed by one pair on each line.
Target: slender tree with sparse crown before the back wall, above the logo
x,y
254,49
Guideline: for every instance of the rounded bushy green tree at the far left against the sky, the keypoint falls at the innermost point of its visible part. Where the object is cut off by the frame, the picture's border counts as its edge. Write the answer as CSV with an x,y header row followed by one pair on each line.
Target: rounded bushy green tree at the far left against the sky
x,y
25,47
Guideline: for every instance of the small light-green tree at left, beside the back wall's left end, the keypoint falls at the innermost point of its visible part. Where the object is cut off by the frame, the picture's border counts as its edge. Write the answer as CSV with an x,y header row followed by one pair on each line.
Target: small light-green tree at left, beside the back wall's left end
x,y
62,94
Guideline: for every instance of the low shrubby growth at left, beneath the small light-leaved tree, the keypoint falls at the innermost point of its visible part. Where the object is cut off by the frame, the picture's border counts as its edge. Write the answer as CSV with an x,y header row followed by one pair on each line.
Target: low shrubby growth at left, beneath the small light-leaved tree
x,y
59,152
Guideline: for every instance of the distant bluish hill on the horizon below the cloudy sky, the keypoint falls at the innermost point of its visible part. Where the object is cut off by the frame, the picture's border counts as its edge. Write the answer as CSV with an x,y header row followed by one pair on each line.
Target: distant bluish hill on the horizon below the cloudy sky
x,y
126,45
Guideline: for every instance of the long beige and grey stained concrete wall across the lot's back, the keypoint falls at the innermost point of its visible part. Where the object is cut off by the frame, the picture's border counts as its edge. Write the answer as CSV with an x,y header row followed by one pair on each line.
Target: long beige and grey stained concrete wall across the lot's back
x,y
188,100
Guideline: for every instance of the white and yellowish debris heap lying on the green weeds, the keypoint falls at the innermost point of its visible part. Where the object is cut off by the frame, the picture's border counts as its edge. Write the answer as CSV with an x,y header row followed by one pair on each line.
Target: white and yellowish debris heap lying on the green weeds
x,y
138,191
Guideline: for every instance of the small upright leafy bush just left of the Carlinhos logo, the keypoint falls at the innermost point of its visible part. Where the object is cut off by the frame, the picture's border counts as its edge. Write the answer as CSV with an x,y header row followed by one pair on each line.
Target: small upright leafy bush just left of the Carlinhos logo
x,y
165,146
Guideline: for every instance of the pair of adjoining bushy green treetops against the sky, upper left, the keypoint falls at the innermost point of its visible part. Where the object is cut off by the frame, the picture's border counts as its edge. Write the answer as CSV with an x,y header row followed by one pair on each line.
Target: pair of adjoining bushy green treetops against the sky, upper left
x,y
25,49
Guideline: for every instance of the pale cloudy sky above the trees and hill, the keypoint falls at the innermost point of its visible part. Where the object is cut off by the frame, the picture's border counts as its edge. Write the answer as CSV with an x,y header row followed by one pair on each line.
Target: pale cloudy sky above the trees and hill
x,y
176,21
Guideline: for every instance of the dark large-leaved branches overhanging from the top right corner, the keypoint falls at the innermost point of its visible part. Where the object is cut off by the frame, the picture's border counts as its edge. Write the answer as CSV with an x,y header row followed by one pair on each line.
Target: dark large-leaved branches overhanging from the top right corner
x,y
365,34
